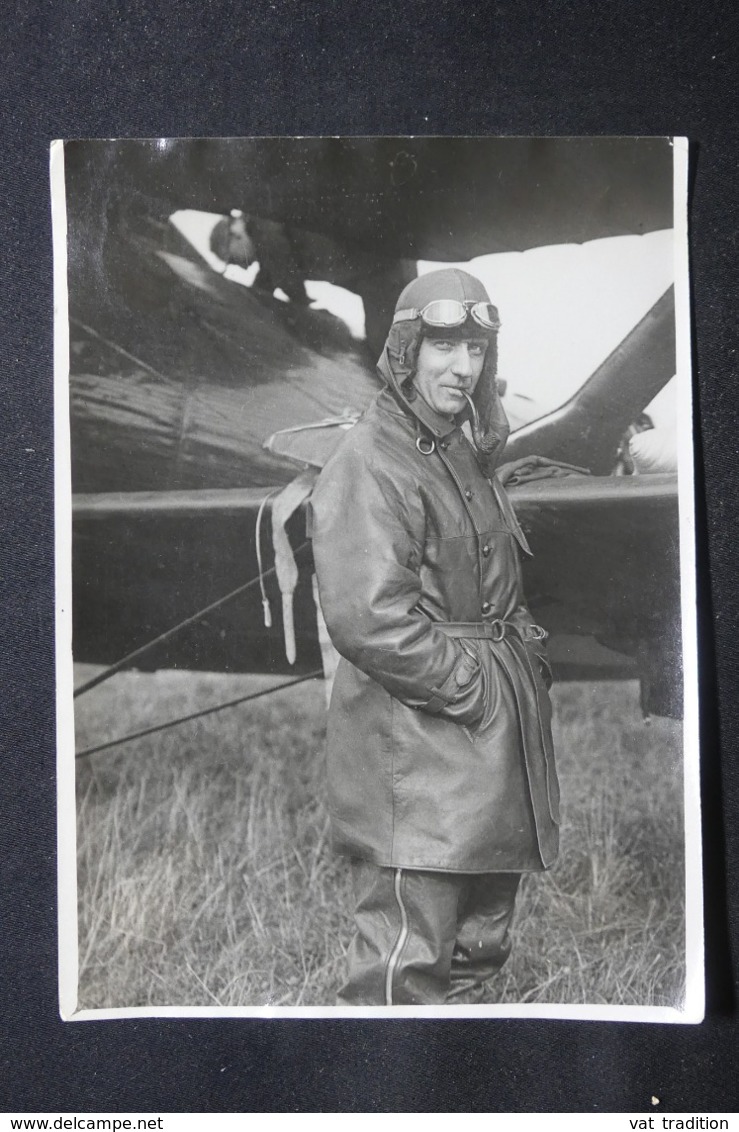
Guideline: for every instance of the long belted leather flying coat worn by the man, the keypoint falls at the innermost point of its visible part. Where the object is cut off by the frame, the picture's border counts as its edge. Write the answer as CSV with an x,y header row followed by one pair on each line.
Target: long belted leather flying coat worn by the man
x,y
440,731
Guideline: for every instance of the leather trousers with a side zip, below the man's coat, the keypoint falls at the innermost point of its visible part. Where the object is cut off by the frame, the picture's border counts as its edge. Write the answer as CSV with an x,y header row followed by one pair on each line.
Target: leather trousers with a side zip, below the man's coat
x,y
427,939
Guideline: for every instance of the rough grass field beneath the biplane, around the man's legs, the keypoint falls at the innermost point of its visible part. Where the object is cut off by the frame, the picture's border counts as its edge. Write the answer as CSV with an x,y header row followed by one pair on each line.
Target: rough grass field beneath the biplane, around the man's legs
x,y
207,874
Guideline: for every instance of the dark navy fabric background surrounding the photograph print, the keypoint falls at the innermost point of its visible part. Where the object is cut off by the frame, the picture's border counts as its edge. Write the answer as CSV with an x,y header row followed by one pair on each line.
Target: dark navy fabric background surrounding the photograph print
x,y
143,68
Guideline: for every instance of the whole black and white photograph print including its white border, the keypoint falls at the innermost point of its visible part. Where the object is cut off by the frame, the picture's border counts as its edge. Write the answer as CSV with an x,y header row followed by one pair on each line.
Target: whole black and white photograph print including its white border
x,y
376,645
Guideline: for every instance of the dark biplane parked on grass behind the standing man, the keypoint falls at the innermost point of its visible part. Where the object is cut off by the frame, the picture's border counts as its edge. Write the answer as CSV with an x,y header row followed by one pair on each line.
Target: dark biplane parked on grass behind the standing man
x,y
181,376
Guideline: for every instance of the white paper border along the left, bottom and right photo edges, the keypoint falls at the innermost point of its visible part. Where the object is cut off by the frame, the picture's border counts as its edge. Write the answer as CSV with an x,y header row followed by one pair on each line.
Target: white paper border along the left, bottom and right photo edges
x,y
694,1006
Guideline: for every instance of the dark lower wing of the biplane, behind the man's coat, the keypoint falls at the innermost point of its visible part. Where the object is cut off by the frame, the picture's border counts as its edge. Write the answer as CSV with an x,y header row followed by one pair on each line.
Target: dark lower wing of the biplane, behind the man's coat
x,y
604,580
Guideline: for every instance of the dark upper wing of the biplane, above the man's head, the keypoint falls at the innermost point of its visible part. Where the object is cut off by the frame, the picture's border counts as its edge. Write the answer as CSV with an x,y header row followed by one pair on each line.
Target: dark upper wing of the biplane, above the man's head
x,y
419,199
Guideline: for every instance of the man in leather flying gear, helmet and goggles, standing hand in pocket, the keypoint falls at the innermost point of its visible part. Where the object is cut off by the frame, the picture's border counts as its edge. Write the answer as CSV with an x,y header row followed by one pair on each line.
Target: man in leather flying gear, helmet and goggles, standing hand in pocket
x,y
442,779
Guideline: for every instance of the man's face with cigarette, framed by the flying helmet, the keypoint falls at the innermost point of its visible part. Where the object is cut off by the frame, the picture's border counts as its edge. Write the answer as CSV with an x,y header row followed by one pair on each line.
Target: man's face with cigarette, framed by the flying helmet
x,y
445,368
